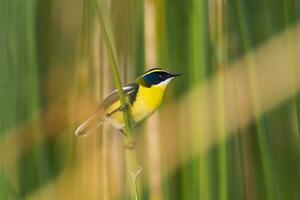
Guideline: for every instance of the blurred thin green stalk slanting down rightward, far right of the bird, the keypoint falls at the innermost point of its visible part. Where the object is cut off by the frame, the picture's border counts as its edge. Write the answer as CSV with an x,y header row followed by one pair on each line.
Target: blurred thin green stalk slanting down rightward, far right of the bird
x,y
264,146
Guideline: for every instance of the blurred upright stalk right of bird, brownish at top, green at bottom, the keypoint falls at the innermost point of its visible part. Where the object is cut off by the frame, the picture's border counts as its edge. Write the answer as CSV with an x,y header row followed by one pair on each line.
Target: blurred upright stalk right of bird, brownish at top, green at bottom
x,y
219,39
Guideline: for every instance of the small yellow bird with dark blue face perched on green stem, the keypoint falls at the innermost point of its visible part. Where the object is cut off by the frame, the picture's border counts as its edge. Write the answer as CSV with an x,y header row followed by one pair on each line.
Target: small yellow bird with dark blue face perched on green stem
x,y
143,97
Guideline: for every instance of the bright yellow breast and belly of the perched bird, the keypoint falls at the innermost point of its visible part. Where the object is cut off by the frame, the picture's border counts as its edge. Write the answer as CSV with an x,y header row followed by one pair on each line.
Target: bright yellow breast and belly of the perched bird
x,y
147,101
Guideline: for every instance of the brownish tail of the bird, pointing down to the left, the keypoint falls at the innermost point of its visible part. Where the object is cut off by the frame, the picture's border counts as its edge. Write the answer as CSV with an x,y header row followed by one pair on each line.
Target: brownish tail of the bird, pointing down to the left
x,y
90,125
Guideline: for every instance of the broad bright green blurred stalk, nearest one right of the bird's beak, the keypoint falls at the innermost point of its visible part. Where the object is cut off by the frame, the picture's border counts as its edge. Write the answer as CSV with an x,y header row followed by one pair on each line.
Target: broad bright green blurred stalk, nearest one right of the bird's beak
x,y
198,72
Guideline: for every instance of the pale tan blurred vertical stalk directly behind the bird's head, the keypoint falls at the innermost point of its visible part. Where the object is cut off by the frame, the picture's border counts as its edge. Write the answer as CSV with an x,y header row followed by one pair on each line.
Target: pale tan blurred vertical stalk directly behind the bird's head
x,y
151,10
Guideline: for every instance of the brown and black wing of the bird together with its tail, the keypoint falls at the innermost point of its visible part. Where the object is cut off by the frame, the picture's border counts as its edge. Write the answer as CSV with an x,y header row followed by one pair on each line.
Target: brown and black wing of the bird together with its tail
x,y
96,119
